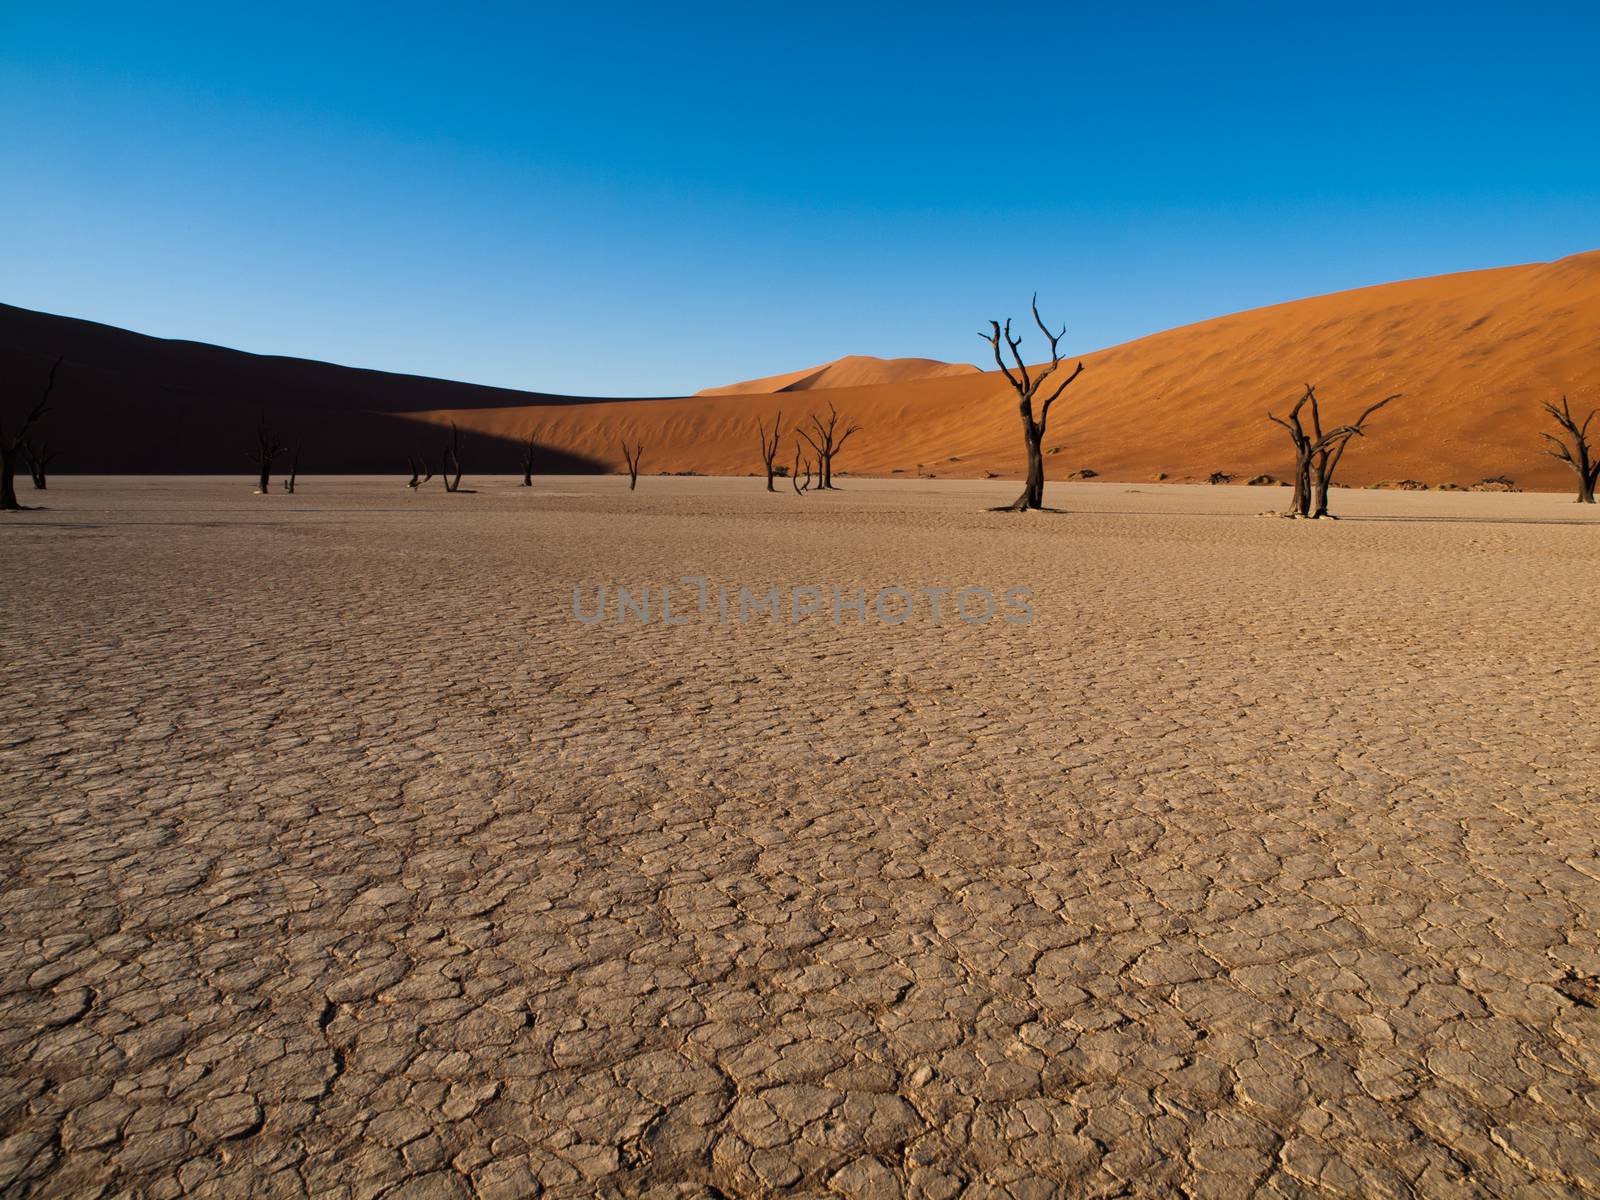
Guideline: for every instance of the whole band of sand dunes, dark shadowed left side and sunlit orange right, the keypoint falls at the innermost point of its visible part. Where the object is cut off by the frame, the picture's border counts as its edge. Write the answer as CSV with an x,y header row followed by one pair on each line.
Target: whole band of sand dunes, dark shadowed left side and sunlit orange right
x,y
1474,354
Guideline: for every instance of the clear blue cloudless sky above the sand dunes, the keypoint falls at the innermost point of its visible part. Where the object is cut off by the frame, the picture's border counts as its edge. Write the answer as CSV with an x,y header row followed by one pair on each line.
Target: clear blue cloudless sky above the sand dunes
x,y
650,199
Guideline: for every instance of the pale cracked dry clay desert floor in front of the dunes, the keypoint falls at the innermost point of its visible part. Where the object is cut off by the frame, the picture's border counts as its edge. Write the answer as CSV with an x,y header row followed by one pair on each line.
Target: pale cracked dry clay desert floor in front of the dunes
x,y
338,860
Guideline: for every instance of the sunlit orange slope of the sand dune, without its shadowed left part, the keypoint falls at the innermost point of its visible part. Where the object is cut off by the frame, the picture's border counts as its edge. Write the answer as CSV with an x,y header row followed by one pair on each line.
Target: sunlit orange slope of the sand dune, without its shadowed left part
x,y
1474,354
